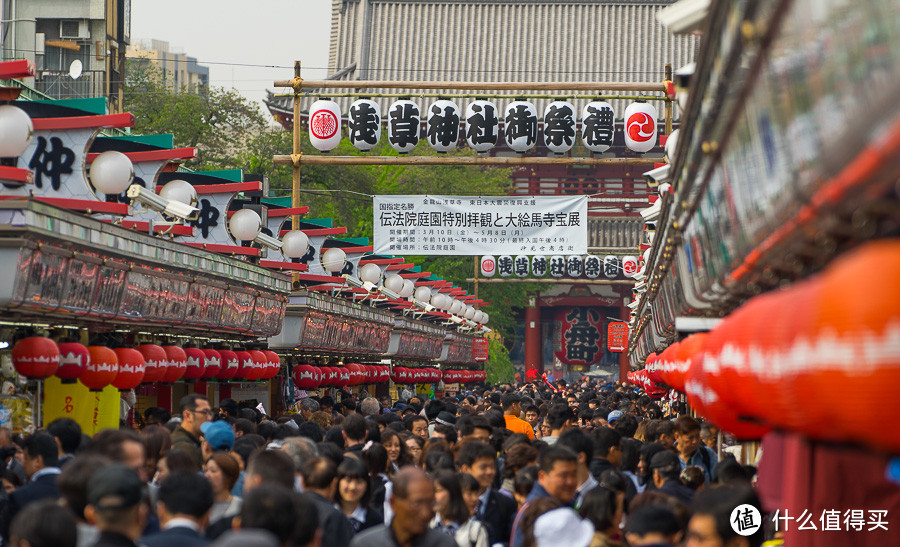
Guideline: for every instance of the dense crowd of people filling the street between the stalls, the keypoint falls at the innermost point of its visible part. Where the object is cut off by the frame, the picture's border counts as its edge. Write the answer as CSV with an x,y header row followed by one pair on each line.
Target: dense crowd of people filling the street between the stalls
x,y
530,466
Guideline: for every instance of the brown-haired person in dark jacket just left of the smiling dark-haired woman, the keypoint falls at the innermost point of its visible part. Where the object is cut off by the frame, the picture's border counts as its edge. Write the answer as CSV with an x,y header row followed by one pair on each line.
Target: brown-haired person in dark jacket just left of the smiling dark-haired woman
x,y
320,482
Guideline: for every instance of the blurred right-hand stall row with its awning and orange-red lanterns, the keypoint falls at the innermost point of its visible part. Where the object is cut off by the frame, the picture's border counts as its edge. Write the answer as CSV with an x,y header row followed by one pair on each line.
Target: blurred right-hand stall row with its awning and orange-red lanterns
x,y
768,298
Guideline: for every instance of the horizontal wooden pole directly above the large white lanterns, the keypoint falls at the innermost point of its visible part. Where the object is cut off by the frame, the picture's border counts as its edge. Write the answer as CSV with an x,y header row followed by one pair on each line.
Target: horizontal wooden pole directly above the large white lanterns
x,y
503,86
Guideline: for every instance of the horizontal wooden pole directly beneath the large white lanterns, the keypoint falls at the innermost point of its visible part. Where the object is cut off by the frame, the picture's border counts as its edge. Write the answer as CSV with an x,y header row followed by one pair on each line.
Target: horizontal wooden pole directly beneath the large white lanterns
x,y
298,159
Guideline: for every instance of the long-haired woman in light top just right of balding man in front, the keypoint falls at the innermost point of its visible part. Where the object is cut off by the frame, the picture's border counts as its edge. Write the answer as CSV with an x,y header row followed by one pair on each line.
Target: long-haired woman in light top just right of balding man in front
x,y
452,514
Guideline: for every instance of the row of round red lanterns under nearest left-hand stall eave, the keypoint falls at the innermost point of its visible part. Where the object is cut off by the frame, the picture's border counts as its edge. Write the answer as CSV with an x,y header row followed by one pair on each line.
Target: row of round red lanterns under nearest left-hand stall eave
x,y
125,368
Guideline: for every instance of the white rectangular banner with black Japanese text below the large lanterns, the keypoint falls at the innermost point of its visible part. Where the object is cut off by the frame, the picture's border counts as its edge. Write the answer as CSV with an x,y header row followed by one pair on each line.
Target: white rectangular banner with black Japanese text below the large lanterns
x,y
468,225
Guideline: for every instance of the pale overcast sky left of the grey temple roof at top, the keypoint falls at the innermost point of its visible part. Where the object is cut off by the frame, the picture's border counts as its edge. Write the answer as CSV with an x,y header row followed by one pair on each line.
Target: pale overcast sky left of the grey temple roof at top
x,y
253,32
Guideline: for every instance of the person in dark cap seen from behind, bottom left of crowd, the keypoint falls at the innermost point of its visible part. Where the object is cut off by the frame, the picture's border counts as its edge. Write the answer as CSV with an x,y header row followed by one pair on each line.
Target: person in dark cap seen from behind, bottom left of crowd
x,y
114,506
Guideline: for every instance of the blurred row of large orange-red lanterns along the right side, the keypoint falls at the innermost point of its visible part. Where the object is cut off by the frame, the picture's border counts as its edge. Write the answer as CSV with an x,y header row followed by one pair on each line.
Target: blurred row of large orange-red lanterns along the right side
x,y
786,358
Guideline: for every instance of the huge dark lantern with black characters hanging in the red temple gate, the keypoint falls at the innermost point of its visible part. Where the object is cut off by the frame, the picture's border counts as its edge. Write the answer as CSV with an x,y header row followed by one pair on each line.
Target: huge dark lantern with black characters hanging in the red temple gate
x,y
580,336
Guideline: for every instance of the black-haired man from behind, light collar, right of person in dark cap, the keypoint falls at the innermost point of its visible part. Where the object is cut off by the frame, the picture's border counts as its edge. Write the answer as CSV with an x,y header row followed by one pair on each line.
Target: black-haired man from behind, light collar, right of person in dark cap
x,y
185,499
